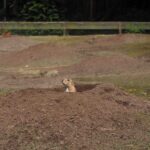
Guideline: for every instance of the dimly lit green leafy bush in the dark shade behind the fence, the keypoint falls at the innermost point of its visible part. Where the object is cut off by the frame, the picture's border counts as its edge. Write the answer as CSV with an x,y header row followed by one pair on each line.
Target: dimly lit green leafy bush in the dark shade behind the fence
x,y
40,11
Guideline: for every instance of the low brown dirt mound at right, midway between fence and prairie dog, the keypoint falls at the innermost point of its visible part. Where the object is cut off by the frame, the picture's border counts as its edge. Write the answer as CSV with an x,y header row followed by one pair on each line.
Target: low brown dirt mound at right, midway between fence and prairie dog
x,y
103,64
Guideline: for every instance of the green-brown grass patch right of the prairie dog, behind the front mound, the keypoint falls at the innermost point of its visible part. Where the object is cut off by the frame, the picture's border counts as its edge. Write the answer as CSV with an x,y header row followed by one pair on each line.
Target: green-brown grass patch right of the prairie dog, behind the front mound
x,y
138,84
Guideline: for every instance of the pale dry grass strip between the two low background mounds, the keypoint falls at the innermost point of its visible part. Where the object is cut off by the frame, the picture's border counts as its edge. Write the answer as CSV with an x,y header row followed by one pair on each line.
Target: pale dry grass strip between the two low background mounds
x,y
36,65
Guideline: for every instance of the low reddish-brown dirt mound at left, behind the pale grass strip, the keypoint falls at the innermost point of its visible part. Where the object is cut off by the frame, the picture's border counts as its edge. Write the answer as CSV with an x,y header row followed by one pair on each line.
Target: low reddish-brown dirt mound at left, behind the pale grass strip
x,y
36,54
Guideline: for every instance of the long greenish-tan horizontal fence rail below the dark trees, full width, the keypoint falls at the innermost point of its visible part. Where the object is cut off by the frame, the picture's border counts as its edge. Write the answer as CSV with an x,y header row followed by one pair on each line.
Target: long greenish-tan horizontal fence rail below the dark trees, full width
x,y
120,26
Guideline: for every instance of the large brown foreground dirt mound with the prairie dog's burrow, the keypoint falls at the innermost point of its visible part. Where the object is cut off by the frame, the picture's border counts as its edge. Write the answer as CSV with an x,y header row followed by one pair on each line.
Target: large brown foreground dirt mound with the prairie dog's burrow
x,y
97,117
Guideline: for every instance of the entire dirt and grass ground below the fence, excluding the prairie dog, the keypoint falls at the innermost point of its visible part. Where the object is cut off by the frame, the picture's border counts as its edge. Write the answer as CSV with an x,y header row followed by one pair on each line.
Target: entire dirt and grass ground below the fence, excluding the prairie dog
x,y
36,113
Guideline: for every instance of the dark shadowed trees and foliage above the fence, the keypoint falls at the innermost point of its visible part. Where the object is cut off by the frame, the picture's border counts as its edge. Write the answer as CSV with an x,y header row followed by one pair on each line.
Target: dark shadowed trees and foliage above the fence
x,y
75,10
